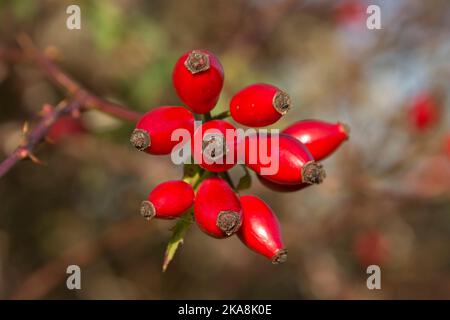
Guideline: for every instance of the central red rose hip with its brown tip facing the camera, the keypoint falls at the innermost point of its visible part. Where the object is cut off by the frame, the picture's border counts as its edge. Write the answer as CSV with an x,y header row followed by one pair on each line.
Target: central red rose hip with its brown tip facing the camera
x,y
215,127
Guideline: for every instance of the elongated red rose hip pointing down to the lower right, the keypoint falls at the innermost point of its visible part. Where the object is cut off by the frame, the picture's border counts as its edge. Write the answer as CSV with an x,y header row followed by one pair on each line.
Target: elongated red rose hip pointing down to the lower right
x,y
260,230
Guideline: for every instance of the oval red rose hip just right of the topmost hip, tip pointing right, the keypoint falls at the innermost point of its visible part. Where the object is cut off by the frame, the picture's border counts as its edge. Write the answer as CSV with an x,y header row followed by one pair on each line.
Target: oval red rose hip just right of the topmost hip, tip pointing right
x,y
259,105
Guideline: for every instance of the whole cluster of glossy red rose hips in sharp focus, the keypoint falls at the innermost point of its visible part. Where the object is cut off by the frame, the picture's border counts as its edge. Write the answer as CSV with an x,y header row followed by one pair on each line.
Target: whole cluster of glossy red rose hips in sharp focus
x,y
218,209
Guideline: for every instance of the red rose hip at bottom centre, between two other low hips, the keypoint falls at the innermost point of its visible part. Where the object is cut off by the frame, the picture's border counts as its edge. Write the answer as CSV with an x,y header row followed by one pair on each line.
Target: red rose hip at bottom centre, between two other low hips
x,y
217,209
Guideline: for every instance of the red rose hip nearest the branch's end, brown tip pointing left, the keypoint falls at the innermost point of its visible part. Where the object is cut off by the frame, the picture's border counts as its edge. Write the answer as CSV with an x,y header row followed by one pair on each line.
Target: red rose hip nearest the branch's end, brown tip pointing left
x,y
153,131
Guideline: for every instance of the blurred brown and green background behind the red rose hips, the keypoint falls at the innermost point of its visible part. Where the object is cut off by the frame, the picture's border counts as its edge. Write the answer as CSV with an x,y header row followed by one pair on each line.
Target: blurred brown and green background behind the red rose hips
x,y
386,199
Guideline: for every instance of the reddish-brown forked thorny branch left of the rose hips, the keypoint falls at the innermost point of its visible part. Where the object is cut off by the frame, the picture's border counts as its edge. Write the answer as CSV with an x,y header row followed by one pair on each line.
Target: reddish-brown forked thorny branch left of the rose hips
x,y
79,99
